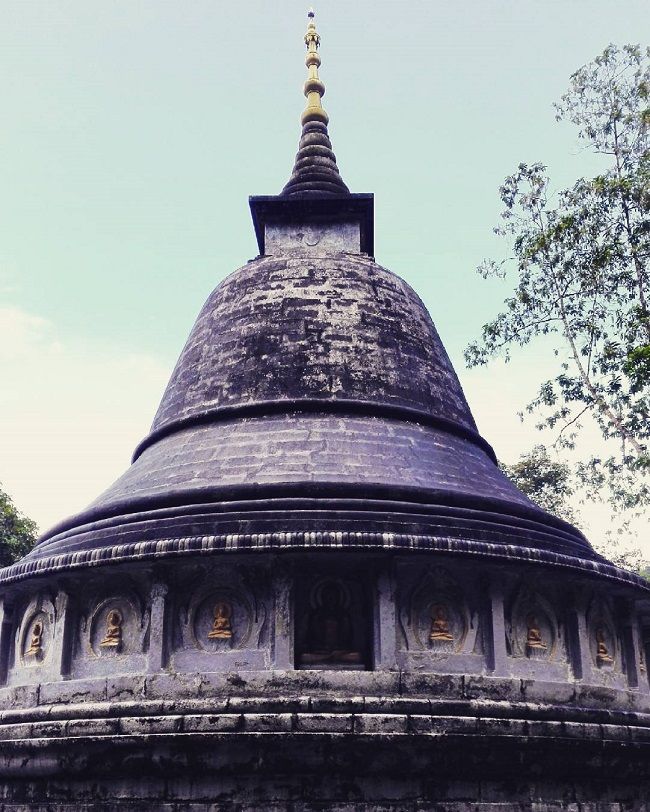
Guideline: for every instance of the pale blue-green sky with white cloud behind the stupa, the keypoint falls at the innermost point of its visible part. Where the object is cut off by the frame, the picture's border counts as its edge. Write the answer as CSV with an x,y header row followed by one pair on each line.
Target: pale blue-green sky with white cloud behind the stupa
x,y
133,133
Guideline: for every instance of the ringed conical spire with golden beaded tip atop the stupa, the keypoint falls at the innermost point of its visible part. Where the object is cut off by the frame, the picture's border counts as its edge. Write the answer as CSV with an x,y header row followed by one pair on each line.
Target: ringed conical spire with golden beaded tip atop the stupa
x,y
315,171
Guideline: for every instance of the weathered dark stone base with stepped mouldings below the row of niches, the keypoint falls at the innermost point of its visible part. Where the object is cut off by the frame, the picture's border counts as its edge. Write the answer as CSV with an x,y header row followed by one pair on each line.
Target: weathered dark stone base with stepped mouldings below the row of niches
x,y
323,740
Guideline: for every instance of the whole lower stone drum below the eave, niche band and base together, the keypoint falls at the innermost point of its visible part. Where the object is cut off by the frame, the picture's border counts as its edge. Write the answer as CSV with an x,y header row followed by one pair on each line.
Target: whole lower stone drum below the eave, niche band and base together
x,y
136,702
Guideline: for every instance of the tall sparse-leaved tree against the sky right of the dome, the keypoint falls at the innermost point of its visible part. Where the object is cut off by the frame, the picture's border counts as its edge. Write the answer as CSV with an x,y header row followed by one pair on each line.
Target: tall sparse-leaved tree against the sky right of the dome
x,y
582,277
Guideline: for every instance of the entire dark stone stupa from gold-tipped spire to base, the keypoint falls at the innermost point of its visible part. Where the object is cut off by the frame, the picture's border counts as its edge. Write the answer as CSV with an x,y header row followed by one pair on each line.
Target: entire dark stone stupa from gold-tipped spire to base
x,y
314,588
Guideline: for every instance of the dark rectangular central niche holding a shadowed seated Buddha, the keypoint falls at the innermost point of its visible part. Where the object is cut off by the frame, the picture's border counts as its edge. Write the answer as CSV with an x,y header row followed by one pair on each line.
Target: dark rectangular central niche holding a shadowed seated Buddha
x,y
332,625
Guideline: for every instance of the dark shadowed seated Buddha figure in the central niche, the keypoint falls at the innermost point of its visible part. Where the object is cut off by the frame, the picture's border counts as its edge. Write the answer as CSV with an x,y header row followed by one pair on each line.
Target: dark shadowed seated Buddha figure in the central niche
x,y
329,638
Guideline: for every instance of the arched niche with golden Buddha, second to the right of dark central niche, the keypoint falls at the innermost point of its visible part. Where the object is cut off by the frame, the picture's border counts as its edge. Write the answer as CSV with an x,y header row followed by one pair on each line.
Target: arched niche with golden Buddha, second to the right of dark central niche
x,y
533,630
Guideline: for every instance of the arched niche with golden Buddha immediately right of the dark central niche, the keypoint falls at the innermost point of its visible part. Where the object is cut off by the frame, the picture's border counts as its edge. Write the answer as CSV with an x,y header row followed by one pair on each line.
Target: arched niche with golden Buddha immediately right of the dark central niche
x,y
436,617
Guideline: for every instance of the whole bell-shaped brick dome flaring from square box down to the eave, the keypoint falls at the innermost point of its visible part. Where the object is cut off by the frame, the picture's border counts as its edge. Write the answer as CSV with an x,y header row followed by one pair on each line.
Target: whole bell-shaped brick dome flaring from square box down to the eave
x,y
321,378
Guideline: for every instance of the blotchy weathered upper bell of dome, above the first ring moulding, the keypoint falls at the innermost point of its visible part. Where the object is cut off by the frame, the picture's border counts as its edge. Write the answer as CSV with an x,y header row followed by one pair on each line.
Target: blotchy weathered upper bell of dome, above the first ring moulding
x,y
336,326
